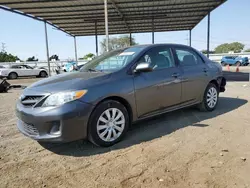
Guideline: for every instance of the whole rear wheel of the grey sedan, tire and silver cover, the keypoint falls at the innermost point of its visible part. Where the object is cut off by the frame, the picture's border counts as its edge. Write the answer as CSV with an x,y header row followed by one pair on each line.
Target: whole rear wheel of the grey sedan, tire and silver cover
x,y
206,104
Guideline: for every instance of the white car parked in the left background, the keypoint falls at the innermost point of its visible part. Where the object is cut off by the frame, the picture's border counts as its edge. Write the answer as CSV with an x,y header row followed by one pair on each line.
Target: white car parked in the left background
x,y
15,71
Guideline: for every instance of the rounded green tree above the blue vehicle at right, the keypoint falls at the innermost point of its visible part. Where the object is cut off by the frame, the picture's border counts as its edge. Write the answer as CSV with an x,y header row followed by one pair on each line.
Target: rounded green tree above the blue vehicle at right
x,y
227,47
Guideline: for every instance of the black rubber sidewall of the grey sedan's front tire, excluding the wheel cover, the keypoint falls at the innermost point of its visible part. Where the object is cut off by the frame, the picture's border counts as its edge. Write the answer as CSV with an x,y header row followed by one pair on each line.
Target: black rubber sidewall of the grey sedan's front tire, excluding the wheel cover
x,y
92,125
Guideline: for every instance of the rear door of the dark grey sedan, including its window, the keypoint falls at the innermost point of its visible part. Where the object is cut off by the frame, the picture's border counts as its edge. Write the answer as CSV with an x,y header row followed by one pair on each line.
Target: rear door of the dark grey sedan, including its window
x,y
195,74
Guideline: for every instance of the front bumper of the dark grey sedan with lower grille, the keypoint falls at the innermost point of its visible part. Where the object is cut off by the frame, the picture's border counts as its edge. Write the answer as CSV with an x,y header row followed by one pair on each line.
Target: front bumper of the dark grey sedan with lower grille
x,y
54,124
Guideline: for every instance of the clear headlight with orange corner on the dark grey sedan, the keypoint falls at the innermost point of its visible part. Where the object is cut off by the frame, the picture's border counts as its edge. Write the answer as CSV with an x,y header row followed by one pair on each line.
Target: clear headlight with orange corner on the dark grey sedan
x,y
58,99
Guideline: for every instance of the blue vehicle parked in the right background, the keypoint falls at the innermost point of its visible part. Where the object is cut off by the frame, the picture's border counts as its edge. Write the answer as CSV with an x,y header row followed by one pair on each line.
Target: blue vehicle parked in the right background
x,y
234,60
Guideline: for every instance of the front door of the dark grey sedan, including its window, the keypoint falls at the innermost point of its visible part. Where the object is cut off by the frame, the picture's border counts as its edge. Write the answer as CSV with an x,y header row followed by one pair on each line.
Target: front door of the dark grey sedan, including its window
x,y
160,88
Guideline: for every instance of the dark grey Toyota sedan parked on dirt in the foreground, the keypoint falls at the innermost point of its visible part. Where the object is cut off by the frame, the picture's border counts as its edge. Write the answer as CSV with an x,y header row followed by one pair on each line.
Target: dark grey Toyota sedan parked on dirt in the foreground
x,y
109,93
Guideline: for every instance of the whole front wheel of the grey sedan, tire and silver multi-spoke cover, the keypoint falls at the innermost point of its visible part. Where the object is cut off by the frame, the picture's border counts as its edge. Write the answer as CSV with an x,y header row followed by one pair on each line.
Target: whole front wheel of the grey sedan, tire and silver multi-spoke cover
x,y
102,129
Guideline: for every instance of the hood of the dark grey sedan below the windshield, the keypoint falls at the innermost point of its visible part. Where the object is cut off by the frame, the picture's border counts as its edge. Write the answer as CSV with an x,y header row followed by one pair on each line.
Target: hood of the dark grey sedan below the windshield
x,y
68,81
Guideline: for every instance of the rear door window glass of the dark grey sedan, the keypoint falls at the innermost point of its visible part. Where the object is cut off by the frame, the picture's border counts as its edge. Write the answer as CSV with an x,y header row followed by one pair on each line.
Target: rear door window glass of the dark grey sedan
x,y
187,57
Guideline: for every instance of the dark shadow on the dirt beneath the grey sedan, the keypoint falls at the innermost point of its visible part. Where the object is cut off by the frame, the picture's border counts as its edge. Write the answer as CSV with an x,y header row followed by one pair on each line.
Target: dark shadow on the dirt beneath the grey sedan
x,y
149,129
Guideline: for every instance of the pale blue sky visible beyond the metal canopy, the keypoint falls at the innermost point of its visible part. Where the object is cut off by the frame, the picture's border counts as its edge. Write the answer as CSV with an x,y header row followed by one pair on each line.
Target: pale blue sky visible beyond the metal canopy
x,y
25,37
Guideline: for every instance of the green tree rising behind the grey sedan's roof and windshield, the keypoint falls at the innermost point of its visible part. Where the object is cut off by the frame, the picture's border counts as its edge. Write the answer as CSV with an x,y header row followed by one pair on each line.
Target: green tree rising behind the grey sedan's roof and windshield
x,y
118,42
